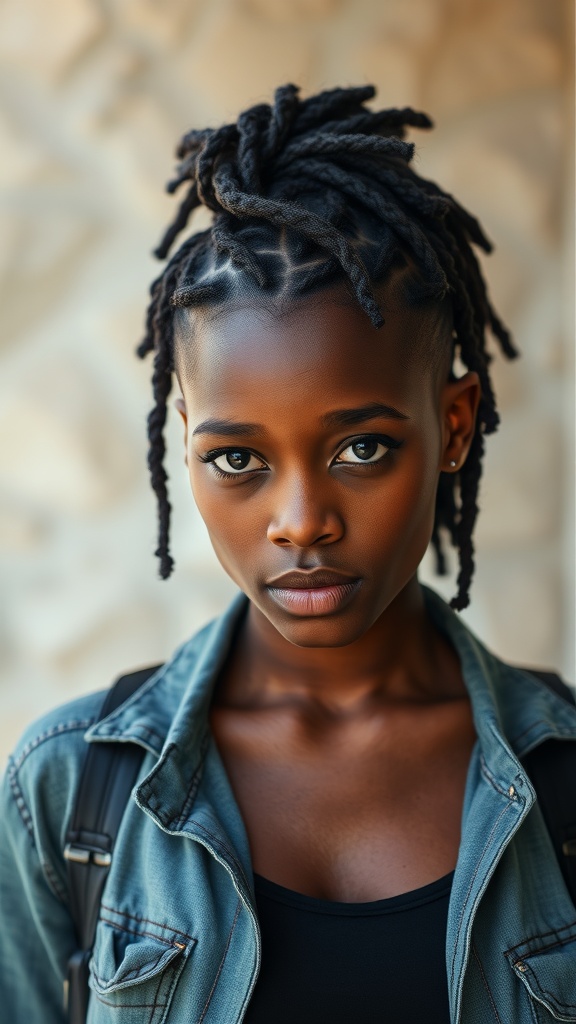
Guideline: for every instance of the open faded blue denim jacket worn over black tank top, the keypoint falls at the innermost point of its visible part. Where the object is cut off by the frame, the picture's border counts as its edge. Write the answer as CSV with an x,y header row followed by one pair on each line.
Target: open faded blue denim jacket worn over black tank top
x,y
179,940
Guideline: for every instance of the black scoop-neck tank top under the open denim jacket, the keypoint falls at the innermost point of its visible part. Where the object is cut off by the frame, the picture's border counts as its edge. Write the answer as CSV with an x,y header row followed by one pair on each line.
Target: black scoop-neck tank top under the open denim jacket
x,y
330,963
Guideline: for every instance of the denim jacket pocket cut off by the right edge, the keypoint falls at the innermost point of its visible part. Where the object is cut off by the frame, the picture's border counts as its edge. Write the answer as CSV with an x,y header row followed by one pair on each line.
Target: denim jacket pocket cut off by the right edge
x,y
548,967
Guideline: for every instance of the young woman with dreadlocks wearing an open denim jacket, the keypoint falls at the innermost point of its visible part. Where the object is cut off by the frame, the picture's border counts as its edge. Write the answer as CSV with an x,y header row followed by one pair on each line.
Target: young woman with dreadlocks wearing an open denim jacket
x,y
333,822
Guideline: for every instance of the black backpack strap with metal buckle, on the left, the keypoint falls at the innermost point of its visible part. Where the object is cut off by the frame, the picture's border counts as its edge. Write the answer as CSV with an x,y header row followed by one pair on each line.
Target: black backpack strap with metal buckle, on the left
x,y
109,775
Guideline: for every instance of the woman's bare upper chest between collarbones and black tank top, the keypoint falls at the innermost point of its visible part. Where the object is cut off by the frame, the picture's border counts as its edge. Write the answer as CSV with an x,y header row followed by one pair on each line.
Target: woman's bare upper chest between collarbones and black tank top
x,y
351,815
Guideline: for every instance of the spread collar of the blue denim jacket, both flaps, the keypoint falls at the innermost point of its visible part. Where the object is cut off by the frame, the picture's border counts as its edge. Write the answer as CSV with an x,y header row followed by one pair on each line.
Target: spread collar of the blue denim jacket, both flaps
x,y
513,711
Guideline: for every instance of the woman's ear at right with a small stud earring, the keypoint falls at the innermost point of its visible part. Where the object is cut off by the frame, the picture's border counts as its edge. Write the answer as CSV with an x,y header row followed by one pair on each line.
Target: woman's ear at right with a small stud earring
x,y
460,408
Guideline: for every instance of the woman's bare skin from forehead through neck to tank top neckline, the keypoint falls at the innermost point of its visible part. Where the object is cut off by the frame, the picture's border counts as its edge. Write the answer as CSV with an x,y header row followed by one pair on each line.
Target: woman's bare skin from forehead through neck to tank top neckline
x,y
346,733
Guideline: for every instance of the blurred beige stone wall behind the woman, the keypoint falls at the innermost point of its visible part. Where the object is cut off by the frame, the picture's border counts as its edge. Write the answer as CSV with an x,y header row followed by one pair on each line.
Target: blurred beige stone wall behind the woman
x,y
94,97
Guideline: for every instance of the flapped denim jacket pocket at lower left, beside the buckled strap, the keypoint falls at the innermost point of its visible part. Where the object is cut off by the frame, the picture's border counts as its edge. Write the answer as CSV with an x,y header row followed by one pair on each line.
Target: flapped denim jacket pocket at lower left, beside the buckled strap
x,y
135,972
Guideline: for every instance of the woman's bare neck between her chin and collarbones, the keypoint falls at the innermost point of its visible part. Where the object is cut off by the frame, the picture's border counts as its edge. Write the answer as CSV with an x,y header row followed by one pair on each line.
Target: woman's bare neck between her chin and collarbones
x,y
401,657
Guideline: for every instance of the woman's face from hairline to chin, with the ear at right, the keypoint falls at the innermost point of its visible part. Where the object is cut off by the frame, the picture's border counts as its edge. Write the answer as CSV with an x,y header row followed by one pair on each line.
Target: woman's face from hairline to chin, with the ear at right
x,y
314,445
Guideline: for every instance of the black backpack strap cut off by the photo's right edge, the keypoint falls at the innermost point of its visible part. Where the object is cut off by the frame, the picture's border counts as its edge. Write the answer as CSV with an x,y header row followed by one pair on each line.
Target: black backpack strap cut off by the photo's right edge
x,y
552,769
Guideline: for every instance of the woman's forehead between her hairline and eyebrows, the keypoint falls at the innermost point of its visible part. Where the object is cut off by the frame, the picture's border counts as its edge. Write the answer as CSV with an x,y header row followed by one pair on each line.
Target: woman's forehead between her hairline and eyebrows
x,y
323,347
